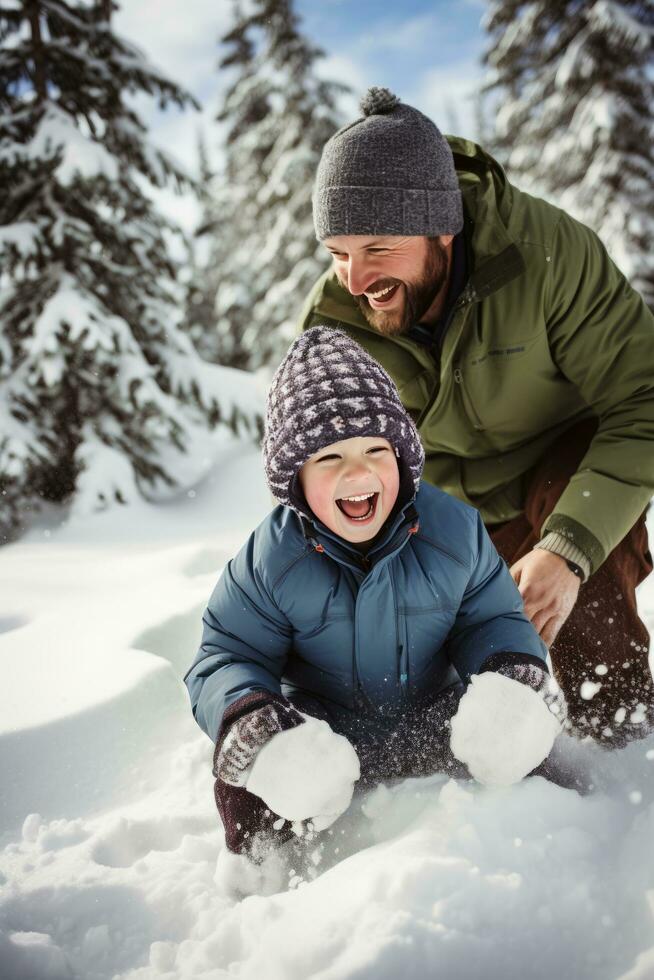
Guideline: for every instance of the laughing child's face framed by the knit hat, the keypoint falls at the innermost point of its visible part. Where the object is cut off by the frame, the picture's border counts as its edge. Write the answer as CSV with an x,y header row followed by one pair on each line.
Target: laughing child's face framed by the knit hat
x,y
358,467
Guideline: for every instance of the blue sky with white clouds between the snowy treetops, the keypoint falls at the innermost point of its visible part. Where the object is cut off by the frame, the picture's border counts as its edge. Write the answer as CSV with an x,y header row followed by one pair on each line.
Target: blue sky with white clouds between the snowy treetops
x,y
426,51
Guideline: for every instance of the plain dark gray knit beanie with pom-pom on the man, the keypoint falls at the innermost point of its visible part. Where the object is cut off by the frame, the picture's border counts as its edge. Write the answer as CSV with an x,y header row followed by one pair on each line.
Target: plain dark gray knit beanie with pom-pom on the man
x,y
389,173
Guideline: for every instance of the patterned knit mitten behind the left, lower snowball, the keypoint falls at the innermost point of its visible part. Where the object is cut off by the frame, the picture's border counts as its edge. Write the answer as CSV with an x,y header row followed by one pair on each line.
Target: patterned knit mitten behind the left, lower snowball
x,y
248,735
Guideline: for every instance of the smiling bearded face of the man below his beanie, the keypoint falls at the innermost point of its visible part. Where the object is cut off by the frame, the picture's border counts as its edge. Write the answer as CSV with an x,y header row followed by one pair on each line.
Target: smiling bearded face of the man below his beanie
x,y
396,280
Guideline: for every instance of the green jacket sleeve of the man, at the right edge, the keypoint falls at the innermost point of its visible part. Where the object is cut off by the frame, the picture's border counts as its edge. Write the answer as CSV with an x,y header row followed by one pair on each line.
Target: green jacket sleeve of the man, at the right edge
x,y
601,336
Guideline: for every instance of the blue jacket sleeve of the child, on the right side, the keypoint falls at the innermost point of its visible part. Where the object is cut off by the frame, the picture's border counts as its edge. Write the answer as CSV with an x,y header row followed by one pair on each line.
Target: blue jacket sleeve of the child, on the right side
x,y
491,618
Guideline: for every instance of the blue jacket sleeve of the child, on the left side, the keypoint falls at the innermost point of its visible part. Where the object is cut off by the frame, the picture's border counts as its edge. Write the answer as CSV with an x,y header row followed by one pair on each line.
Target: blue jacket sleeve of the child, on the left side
x,y
246,640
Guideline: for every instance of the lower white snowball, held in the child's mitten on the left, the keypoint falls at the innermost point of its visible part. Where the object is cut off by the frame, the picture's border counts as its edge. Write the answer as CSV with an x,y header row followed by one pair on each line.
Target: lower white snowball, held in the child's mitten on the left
x,y
306,773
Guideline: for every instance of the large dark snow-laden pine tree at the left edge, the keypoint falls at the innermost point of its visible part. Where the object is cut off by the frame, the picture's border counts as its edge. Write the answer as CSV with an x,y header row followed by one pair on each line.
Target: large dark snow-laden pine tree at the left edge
x,y
97,382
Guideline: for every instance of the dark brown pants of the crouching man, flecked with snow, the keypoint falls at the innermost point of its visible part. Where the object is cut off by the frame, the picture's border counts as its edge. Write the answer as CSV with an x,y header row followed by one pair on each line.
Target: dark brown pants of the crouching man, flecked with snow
x,y
603,629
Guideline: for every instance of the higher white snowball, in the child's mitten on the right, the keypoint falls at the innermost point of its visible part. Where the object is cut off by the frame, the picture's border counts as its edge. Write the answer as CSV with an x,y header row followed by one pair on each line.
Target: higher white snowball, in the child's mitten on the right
x,y
507,721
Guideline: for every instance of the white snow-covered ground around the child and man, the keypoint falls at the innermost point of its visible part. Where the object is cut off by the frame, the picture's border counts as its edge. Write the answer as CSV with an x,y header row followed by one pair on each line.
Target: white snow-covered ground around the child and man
x,y
112,862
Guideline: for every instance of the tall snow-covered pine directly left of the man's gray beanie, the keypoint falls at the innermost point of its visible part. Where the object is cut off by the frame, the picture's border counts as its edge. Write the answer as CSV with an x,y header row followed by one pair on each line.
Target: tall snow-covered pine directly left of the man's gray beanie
x,y
277,113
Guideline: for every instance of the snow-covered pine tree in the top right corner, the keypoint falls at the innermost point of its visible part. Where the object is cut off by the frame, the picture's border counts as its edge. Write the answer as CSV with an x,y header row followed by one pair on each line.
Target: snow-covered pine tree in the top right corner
x,y
576,93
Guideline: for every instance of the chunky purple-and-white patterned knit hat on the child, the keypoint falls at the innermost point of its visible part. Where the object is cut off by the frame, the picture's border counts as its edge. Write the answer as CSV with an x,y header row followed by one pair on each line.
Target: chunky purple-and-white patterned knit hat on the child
x,y
326,389
